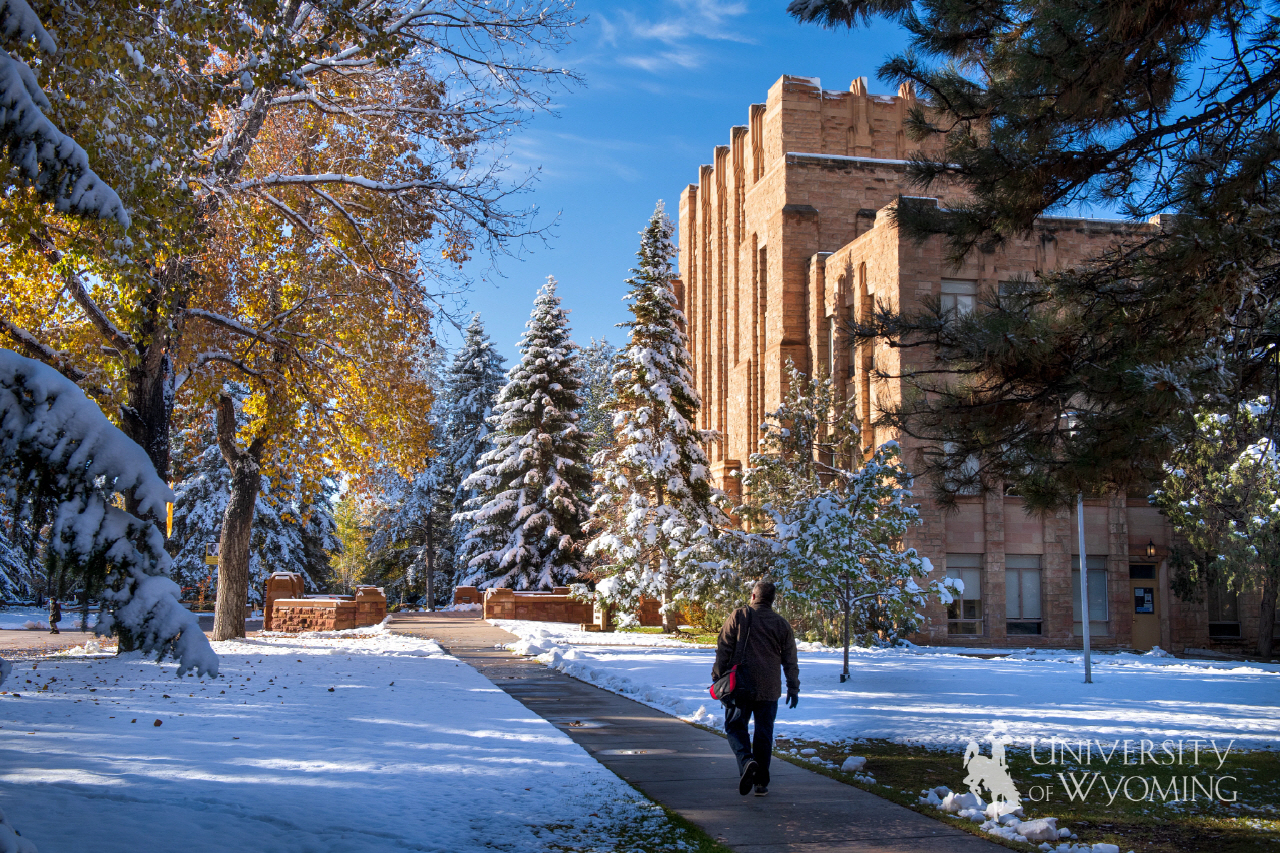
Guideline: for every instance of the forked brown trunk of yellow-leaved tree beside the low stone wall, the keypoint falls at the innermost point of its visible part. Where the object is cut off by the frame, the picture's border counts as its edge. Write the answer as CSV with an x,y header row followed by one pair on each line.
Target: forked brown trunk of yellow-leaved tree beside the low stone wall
x,y
237,524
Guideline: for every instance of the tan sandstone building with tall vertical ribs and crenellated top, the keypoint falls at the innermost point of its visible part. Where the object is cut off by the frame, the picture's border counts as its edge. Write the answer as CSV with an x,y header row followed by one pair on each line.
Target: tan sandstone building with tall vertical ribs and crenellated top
x,y
787,235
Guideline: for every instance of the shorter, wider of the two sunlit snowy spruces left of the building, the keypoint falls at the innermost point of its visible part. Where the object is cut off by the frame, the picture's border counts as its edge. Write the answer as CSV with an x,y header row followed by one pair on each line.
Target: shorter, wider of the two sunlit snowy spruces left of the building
x,y
527,519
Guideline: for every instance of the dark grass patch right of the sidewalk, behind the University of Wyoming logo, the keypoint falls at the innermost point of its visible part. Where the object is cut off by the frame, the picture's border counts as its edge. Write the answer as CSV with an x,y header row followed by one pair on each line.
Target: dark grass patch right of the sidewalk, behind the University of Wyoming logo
x,y
903,770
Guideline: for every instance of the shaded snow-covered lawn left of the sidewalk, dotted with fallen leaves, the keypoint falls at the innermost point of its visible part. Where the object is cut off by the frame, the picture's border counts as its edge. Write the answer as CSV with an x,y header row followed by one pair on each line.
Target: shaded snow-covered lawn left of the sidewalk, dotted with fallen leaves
x,y
354,742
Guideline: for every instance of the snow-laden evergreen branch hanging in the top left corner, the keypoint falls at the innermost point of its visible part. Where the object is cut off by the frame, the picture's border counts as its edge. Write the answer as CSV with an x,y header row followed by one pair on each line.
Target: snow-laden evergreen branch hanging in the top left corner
x,y
53,162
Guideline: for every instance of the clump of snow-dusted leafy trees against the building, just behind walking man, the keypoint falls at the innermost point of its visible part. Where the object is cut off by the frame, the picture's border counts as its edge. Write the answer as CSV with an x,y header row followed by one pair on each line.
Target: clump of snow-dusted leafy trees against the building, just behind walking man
x,y
826,523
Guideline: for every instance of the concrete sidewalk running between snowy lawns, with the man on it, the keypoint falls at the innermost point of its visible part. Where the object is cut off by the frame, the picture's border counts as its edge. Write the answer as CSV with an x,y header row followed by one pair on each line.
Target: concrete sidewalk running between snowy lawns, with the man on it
x,y
693,772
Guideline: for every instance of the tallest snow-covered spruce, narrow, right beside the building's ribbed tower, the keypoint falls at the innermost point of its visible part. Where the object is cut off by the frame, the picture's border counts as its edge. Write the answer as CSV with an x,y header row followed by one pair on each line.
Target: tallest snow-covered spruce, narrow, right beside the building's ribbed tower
x,y
656,508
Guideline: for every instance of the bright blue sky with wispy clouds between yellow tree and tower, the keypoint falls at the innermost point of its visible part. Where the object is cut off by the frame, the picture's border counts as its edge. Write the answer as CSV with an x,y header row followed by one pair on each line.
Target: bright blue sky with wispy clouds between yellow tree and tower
x,y
665,83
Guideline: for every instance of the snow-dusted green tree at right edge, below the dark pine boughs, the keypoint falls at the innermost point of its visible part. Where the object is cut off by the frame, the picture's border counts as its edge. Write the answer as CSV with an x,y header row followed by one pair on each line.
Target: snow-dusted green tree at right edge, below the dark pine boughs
x,y
1222,492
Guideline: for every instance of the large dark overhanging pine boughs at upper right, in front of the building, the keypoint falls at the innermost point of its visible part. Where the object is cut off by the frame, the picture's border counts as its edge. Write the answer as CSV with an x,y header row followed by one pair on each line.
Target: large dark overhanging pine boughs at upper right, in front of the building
x,y
1087,378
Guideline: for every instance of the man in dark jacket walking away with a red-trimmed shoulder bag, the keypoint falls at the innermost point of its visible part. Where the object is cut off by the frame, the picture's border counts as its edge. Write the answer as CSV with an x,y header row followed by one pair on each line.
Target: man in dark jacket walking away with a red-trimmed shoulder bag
x,y
770,646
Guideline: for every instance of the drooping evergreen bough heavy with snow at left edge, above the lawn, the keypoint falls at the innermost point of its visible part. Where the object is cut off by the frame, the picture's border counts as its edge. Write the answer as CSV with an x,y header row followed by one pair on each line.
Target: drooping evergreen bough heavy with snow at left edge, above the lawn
x,y
56,440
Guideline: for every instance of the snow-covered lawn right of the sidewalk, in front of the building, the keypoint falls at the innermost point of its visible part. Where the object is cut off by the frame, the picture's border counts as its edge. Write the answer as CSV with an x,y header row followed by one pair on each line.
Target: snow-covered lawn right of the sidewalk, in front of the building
x,y
940,696
